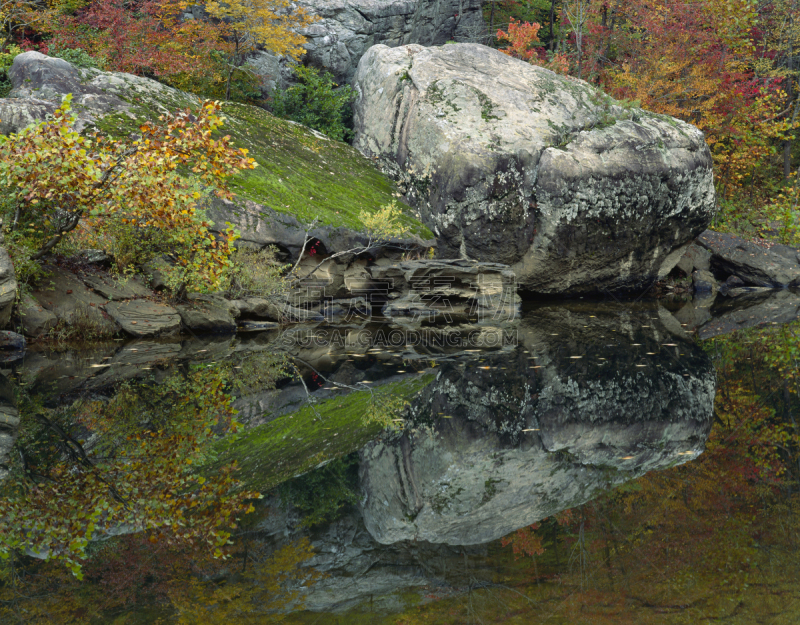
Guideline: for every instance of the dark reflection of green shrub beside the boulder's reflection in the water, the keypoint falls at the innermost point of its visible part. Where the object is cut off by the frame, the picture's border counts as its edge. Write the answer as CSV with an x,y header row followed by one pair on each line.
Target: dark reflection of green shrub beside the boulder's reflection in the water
x,y
321,494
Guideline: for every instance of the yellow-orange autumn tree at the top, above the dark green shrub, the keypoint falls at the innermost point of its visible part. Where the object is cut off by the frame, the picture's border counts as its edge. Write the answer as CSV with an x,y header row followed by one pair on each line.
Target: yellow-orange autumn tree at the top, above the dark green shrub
x,y
249,24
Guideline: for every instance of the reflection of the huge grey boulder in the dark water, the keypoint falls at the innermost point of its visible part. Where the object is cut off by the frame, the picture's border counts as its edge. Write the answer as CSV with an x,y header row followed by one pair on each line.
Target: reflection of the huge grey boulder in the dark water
x,y
505,443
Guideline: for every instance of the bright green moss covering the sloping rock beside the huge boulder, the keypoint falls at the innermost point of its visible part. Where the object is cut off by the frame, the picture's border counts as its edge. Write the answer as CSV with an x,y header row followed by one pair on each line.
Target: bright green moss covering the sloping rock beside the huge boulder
x,y
300,172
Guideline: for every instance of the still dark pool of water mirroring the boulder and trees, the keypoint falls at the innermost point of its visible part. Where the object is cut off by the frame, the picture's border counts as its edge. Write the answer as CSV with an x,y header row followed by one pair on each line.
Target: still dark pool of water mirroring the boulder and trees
x,y
588,462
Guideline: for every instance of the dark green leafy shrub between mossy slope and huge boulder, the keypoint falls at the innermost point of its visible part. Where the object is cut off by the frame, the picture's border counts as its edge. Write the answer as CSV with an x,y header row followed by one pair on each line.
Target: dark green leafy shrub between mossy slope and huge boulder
x,y
316,102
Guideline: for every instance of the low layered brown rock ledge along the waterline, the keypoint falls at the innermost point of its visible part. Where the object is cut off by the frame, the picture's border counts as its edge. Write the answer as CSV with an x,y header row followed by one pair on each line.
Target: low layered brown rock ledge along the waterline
x,y
88,302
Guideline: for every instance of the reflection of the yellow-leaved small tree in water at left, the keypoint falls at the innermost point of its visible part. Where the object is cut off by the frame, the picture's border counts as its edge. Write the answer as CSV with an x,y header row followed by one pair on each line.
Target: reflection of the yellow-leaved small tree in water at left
x,y
128,462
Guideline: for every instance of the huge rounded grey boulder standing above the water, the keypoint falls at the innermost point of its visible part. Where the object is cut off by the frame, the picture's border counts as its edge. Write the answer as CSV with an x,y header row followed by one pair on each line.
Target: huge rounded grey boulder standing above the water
x,y
511,163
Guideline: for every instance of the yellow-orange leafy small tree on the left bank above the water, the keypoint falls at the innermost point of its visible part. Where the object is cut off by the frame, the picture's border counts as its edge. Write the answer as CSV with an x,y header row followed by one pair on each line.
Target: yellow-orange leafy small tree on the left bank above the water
x,y
56,178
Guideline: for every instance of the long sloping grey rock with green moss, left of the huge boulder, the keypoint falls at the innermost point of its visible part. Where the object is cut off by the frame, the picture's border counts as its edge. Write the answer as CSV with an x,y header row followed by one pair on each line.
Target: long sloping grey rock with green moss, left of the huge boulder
x,y
302,174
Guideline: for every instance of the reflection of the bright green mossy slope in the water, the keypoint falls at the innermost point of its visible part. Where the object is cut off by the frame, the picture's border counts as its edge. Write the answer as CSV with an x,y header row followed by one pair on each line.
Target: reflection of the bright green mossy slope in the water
x,y
295,443
